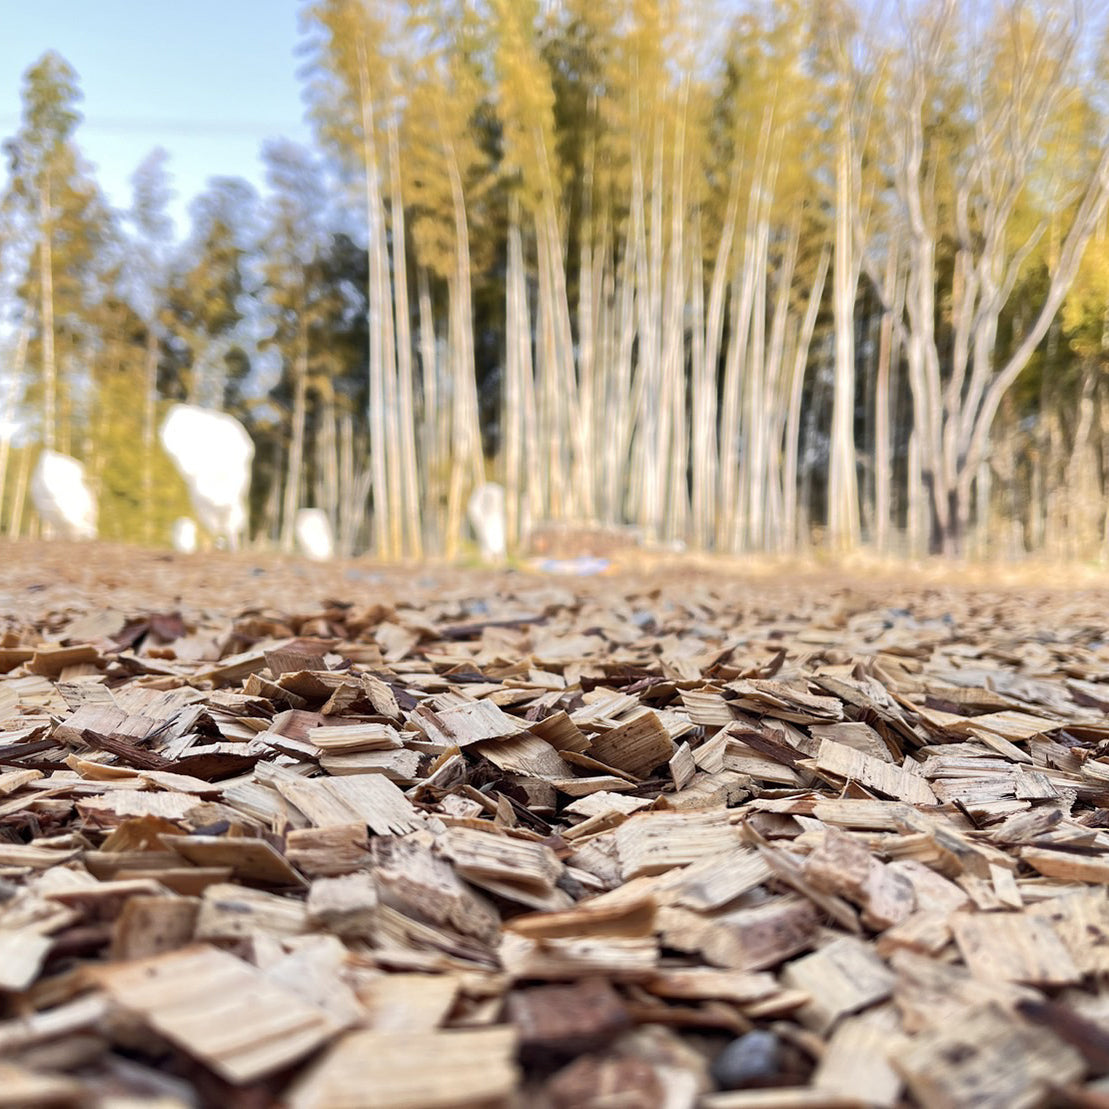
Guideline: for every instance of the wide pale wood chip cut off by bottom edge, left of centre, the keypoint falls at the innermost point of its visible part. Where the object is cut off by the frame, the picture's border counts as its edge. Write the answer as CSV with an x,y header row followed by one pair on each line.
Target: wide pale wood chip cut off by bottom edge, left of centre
x,y
450,1070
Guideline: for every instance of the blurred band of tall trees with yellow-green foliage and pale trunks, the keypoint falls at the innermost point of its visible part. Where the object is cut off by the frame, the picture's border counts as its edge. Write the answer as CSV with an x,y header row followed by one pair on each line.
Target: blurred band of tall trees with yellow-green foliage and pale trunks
x,y
745,277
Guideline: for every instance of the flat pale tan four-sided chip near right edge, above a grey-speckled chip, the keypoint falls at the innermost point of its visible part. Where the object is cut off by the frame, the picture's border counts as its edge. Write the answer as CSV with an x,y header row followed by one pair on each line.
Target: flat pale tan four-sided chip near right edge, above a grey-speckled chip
x,y
1014,948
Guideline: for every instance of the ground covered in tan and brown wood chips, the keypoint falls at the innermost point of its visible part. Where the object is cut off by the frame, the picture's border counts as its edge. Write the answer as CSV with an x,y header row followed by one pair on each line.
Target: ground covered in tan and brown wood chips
x,y
317,838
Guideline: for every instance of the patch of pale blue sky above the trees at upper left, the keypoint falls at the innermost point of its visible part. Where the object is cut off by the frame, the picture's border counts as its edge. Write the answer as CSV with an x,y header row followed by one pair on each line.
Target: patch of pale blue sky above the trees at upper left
x,y
209,80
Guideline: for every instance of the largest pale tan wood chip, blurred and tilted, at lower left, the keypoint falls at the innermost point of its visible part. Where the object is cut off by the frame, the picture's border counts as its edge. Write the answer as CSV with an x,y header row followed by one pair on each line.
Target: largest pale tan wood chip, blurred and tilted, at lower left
x,y
220,1010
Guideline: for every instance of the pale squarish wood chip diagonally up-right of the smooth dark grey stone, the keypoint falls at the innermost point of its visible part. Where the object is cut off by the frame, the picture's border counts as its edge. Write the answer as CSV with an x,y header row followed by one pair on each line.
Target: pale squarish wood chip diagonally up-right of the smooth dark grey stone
x,y
845,976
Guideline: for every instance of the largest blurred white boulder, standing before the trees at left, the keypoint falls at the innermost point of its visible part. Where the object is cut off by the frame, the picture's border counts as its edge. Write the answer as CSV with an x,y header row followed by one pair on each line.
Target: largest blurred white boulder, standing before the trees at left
x,y
213,454
